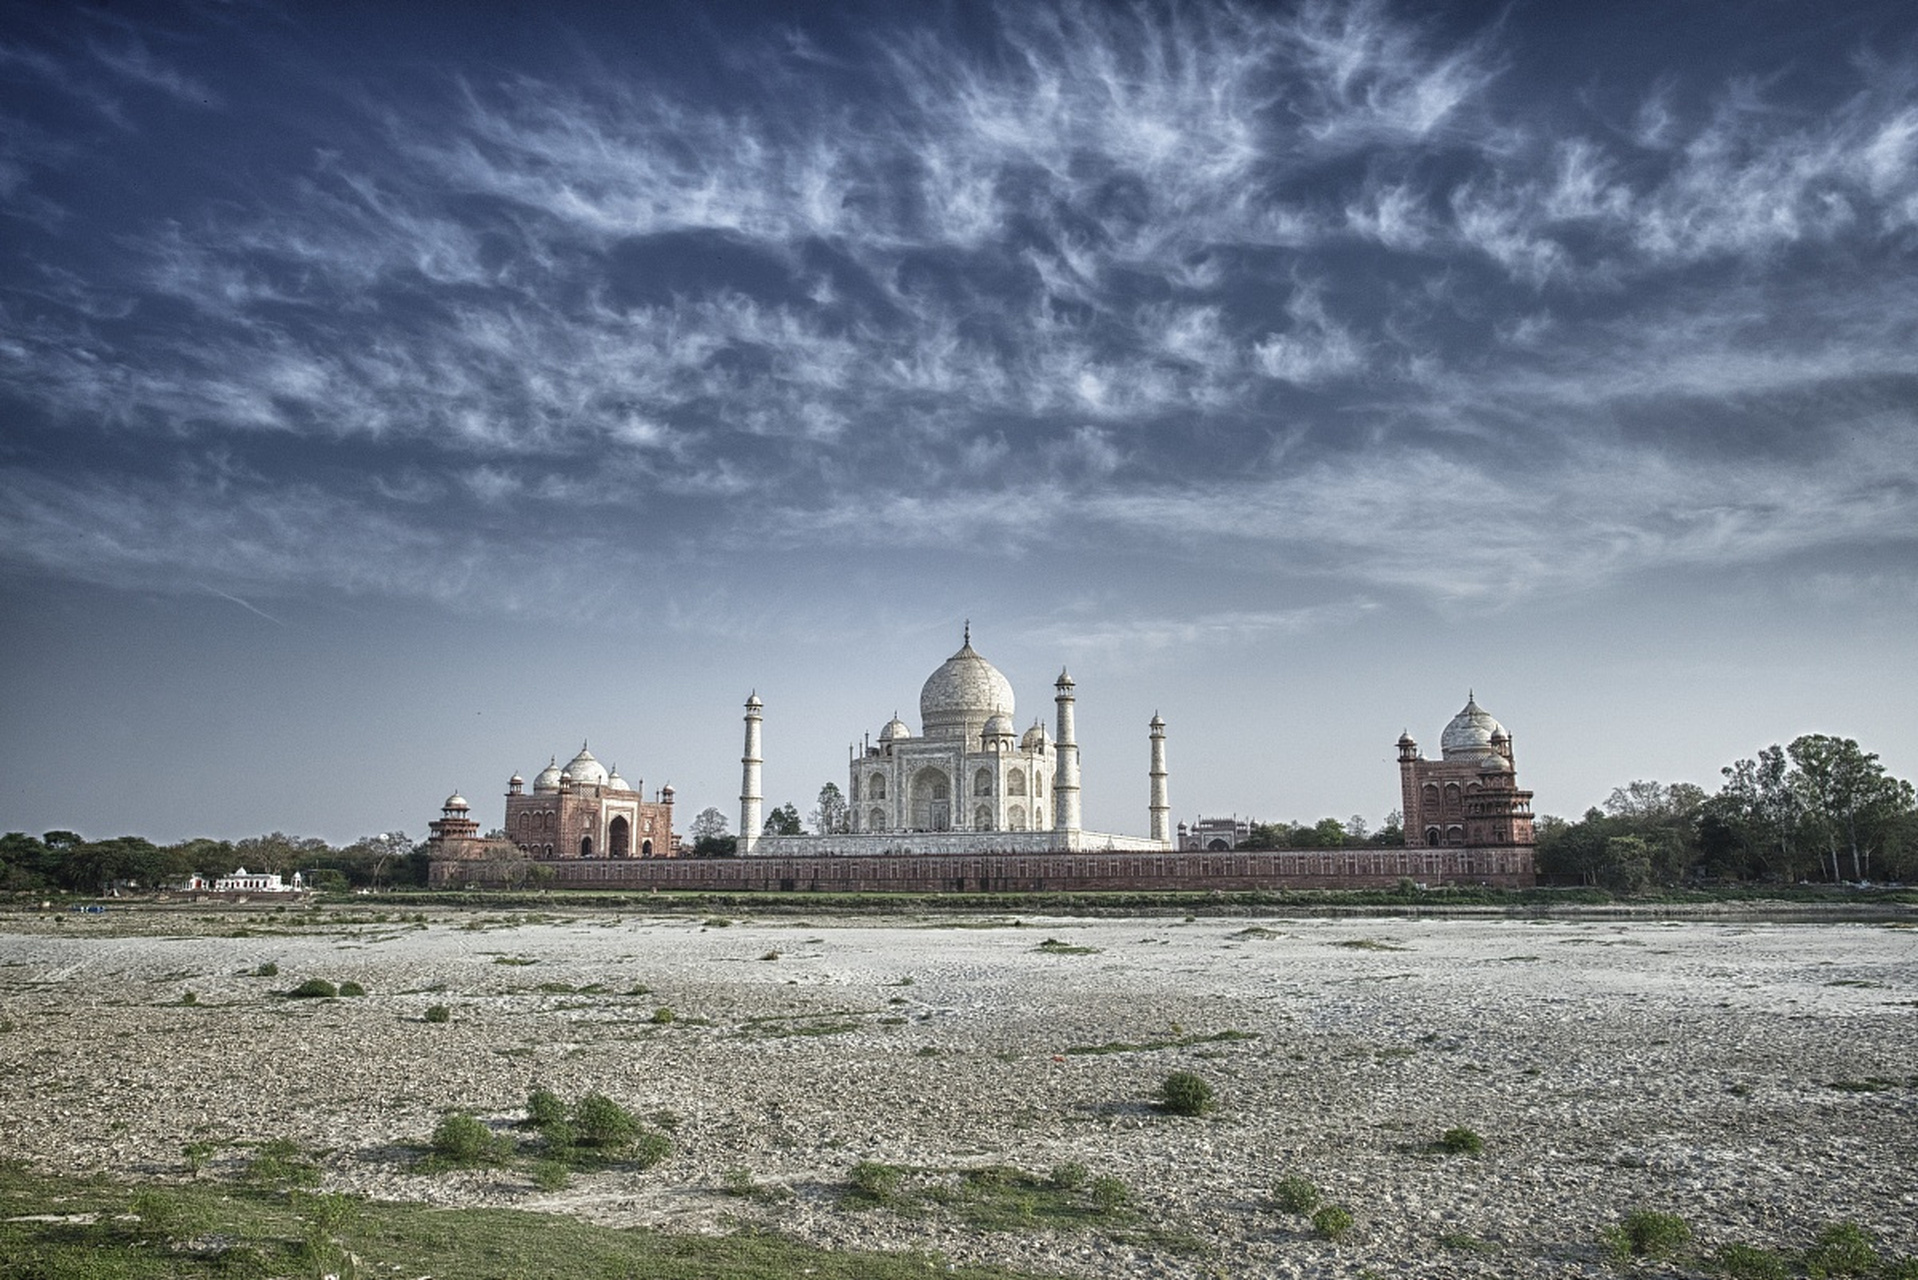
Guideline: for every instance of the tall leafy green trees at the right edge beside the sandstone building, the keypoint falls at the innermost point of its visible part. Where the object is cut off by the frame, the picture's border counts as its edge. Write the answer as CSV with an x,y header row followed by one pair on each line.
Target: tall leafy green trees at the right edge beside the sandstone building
x,y
1819,809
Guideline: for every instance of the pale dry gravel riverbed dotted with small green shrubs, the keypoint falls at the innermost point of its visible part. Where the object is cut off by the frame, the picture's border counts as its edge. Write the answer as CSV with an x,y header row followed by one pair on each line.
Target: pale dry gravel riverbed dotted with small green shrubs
x,y
1683,1066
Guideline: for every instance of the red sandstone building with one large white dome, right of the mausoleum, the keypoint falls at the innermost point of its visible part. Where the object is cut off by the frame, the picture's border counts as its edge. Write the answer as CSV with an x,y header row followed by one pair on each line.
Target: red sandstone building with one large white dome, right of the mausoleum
x,y
1470,797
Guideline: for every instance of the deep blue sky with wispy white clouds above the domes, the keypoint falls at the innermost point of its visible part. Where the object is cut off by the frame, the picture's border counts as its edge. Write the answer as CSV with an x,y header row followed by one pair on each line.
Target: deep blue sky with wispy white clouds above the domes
x,y
394,396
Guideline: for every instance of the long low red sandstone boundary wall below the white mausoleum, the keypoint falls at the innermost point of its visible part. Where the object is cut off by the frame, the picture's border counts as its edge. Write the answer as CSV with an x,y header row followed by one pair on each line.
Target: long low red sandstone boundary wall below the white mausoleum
x,y
1014,872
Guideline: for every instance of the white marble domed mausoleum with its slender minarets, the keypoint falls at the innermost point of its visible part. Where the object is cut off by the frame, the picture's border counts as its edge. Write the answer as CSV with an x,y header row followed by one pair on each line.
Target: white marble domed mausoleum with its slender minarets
x,y
968,784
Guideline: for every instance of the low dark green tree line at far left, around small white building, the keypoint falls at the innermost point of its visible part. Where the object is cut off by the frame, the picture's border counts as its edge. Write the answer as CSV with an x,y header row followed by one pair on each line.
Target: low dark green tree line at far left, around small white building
x,y
64,861
